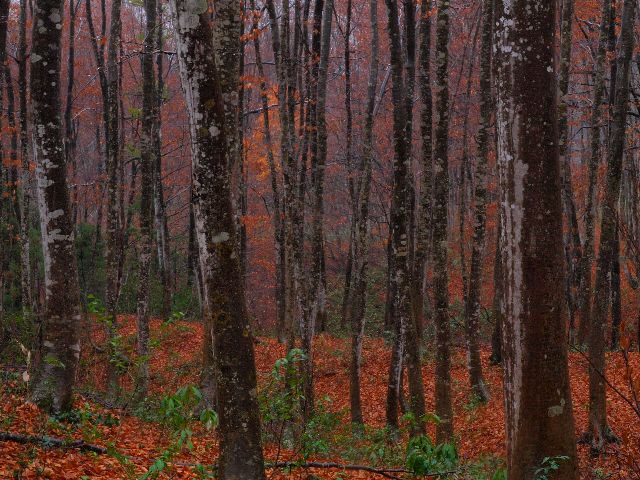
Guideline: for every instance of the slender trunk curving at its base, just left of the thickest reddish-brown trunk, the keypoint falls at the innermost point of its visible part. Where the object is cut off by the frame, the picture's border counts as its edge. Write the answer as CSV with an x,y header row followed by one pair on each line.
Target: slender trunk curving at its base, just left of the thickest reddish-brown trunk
x,y
472,308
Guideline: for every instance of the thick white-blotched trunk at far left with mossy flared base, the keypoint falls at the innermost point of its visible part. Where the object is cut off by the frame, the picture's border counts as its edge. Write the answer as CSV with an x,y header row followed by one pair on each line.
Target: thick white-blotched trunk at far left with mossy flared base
x,y
52,388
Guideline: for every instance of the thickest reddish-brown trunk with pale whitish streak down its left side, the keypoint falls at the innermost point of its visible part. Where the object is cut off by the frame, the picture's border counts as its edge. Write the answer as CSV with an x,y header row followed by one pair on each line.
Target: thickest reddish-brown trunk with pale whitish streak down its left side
x,y
539,417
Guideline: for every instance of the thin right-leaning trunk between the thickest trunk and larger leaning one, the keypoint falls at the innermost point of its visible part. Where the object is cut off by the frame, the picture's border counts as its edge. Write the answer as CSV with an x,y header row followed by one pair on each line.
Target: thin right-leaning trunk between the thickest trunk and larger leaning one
x,y
594,161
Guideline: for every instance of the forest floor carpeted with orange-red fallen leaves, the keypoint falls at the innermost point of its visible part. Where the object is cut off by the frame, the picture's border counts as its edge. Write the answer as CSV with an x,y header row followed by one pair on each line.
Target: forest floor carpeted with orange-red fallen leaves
x,y
136,439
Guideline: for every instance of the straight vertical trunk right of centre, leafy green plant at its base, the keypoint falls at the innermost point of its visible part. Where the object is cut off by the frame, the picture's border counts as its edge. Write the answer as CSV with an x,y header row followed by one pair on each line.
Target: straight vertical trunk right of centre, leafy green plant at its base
x,y
444,409
